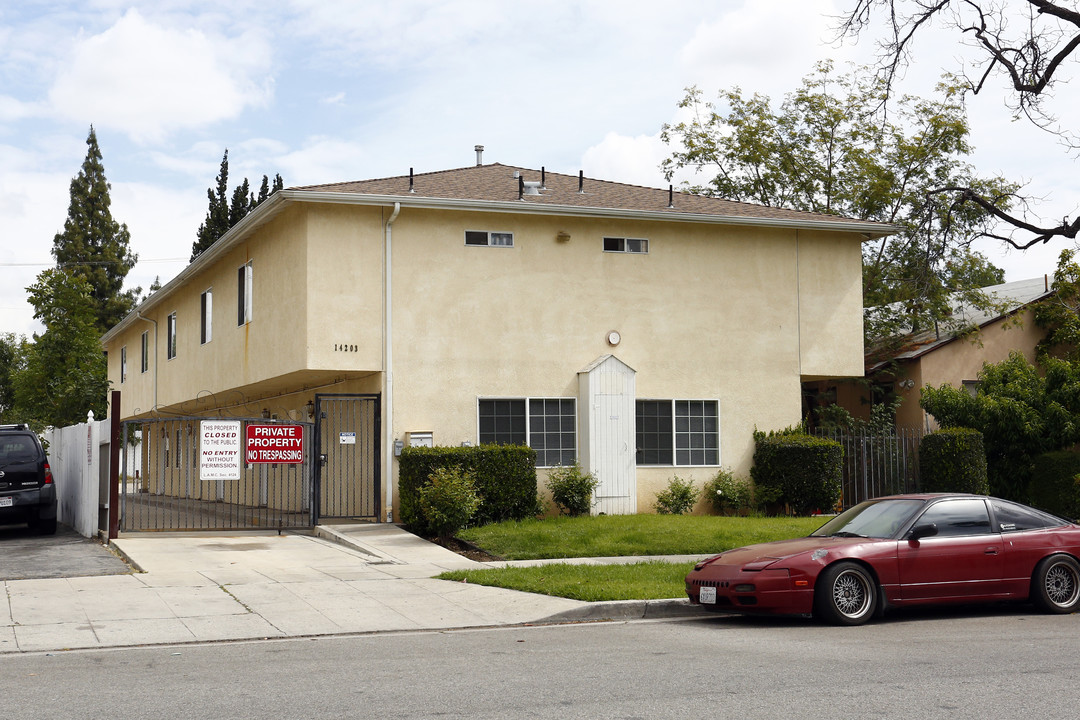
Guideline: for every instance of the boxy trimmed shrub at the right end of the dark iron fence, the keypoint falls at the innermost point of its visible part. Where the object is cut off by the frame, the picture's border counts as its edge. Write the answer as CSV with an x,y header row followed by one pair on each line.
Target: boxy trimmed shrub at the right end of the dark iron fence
x,y
953,460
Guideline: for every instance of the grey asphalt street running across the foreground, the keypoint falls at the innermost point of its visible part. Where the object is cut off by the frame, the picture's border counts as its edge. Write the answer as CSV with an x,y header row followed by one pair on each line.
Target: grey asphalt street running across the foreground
x,y
970,663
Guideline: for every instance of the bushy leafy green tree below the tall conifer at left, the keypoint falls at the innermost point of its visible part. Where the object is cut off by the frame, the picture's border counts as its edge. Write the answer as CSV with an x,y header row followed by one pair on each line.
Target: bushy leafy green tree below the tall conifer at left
x,y
64,373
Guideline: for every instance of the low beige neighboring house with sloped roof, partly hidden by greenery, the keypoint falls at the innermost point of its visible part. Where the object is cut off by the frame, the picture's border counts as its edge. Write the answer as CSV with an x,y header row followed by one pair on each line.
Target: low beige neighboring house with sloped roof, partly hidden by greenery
x,y
947,359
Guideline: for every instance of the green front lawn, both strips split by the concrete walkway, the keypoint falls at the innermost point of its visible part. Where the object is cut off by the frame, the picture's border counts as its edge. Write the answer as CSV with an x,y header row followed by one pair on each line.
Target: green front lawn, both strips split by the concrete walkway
x,y
615,536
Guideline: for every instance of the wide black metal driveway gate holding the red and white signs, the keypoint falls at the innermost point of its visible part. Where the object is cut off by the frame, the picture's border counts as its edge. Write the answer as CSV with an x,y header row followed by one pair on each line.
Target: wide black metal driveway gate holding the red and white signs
x,y
163,486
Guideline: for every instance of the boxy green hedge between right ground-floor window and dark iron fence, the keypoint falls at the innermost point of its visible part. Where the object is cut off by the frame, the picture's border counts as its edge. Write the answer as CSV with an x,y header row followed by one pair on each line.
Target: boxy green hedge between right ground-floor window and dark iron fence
x,y
801,471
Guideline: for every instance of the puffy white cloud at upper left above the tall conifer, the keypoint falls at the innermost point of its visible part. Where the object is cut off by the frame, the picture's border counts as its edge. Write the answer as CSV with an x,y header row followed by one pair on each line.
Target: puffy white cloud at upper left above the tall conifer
x,y
147,80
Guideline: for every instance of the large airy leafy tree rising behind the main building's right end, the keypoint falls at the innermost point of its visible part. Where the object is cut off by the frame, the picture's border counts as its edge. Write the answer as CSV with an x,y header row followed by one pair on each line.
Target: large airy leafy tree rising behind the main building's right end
x,y
827,150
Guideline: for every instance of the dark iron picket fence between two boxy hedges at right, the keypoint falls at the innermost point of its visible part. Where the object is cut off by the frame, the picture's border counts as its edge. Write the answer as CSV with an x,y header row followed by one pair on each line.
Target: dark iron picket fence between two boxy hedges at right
x,y
877,465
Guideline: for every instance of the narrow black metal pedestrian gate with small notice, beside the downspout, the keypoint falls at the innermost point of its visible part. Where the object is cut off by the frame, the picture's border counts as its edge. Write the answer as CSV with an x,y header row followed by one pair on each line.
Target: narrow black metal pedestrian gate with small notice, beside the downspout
x,y
347,436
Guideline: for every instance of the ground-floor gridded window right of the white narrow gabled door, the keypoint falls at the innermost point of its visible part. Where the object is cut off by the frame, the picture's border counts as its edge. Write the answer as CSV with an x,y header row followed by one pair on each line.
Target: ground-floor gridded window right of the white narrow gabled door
x,y
679,433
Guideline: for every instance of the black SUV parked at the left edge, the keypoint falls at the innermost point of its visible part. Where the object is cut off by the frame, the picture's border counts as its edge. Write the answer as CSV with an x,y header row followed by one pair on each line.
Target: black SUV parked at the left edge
x,y
28,492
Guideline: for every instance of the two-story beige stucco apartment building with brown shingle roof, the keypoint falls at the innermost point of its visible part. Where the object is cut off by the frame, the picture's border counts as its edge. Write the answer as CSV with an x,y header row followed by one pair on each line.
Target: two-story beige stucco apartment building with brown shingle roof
x,y
641,332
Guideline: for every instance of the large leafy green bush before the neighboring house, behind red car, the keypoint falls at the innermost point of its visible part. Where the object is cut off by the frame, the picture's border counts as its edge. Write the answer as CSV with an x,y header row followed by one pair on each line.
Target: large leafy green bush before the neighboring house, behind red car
x,y
1021,412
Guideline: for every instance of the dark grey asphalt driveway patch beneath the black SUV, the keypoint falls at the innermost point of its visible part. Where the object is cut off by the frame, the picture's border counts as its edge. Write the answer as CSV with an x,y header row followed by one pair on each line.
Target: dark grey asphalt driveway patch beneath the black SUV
x,y
25,555
